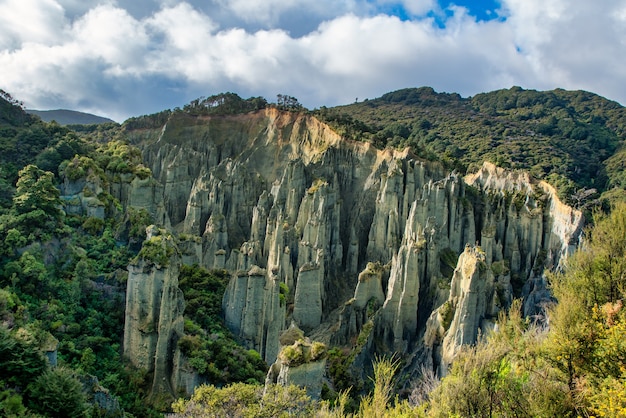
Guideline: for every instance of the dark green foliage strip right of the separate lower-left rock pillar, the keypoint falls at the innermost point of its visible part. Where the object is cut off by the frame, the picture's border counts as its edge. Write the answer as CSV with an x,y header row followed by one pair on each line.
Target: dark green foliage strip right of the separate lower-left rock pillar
x,y
210,346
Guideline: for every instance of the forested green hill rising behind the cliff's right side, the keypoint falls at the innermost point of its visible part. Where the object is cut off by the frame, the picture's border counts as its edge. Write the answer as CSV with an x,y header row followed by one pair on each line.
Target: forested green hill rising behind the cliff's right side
x,y
570,138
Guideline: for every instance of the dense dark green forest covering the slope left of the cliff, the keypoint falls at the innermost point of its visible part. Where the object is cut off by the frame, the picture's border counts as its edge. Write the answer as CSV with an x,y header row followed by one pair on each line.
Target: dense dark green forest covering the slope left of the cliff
x,y
62,278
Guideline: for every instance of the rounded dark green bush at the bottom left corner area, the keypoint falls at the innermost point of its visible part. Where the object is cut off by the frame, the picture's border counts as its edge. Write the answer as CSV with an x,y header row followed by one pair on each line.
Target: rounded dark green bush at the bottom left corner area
x,y
57,393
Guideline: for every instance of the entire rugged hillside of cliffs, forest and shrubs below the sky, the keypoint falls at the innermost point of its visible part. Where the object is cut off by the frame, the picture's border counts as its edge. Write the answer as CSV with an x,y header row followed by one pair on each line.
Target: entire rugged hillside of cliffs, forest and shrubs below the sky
x,y
236,241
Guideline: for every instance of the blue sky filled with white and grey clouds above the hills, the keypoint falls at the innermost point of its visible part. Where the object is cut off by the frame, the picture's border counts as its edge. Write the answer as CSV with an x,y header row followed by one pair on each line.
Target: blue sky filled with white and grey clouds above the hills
x,y
132,57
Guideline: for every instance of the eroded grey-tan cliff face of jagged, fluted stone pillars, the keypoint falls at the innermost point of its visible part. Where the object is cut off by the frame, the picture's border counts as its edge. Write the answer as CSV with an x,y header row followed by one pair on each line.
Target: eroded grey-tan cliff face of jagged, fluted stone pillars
x,y
356,234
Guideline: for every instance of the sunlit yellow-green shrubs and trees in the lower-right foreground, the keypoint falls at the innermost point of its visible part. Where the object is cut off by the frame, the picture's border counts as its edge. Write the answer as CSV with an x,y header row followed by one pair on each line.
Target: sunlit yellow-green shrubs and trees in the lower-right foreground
x,y
576,367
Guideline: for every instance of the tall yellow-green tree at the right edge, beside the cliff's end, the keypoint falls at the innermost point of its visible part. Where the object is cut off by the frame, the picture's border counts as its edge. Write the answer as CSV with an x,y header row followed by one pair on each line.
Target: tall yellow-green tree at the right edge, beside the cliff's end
x,y
588,324
